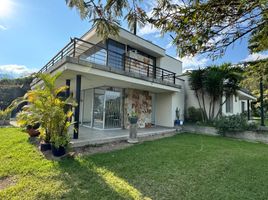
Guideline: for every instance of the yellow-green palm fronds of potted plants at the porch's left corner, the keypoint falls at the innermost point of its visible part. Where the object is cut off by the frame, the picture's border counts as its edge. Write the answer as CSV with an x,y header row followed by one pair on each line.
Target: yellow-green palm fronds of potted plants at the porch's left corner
x,y
48,109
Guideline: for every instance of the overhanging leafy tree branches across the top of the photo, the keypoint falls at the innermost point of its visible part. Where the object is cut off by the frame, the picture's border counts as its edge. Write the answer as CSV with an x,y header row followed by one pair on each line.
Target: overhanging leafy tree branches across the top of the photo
x,y
195,26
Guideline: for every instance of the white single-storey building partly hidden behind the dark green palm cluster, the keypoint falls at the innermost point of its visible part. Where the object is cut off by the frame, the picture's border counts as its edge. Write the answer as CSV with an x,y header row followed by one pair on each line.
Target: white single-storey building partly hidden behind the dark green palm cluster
x,y
235,104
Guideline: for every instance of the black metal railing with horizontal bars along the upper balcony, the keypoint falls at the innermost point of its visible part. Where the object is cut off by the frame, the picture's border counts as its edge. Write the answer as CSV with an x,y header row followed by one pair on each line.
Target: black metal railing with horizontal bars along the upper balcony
x,y
98,54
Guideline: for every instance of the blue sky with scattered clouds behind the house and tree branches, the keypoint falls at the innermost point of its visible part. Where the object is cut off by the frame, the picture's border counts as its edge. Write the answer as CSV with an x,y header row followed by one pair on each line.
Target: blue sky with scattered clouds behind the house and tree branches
x,y
33,31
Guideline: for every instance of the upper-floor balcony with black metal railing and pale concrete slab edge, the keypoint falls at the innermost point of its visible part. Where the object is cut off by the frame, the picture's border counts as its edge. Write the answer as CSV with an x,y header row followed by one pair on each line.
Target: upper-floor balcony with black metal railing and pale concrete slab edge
x,y
100,56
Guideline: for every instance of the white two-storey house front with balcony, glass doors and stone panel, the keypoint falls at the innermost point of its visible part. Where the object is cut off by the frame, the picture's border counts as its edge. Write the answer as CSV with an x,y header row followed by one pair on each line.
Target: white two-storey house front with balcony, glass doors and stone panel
x,y
113,78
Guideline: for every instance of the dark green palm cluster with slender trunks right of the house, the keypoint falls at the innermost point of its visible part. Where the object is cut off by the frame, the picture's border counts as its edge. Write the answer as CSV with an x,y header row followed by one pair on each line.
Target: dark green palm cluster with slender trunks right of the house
x,y
214,82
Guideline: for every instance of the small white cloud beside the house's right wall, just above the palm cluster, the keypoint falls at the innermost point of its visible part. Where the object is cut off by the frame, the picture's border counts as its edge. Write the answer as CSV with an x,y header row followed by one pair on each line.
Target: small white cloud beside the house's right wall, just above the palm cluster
x,y
193,62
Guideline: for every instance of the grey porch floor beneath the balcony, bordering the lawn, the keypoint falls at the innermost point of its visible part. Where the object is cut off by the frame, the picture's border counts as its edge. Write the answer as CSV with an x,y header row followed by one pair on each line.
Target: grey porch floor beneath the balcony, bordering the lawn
x,y
90,136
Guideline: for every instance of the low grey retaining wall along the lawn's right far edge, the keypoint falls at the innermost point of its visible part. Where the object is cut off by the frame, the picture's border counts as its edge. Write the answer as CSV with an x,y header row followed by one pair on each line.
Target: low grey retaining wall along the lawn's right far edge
x,y
256,136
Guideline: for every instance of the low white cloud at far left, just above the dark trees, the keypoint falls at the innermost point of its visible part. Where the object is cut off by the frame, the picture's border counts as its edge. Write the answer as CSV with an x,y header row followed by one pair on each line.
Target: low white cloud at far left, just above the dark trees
x,y
16,70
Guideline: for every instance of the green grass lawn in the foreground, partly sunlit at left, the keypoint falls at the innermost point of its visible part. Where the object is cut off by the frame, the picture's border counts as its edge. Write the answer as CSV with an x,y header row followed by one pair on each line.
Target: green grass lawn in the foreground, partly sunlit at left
x,y
185,166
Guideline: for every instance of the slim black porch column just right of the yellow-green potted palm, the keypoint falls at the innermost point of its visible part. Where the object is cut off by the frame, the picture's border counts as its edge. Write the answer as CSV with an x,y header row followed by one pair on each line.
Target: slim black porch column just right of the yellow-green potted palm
x,y
77,108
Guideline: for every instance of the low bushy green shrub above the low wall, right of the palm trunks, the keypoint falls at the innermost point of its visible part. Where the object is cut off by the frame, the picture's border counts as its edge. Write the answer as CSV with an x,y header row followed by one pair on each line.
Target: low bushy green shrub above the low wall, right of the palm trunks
x,y
233,123
